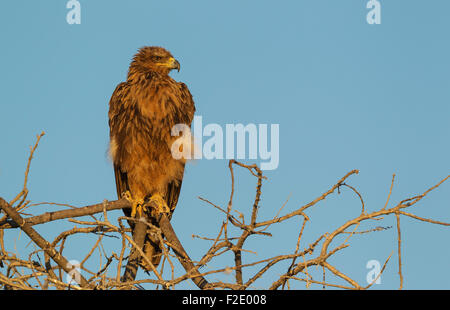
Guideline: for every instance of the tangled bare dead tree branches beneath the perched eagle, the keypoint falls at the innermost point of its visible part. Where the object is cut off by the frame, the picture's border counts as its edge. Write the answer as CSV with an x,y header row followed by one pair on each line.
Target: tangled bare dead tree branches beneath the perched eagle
x,y
29,272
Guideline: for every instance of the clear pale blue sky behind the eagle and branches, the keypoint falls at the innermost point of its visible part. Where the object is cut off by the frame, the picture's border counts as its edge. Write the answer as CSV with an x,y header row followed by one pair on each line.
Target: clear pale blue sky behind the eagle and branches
x,y
346,95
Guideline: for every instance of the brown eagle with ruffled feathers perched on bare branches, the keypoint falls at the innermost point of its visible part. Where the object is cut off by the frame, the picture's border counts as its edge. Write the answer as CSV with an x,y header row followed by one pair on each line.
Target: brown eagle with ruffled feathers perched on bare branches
x,y
142,112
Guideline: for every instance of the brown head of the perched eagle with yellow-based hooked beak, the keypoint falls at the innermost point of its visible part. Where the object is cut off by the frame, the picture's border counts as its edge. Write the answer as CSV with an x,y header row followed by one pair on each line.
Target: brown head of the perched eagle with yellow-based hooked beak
x,y
155,59
